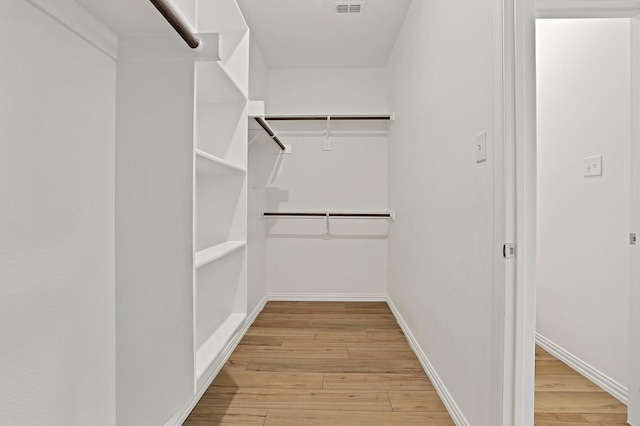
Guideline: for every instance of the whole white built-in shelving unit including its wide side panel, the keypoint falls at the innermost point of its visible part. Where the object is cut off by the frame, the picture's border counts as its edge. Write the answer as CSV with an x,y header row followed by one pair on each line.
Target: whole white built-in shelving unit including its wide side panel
x,y
182,208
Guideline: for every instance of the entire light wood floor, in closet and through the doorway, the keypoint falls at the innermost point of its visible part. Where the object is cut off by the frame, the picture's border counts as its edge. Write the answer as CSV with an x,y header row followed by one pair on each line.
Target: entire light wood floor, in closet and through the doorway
x,y
330,363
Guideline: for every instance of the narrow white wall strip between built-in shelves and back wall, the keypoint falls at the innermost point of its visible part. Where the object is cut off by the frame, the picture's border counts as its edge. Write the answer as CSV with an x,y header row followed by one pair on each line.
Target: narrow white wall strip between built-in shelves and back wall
x,y
256,227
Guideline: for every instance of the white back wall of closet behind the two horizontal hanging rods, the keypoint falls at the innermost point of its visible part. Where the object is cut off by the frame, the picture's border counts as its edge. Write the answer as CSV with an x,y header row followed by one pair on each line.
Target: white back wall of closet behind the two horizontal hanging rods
x,y
352,176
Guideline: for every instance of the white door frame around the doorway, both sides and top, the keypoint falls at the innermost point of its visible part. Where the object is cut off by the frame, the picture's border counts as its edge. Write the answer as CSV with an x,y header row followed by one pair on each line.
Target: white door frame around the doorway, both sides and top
x,y
521,300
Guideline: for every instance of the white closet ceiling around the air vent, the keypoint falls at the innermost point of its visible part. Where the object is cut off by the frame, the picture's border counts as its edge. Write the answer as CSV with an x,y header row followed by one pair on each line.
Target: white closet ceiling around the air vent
x,y
310,34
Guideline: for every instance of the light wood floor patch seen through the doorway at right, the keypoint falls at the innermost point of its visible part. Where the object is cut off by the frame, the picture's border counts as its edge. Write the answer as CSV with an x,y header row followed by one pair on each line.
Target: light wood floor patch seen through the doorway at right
x,y
565,398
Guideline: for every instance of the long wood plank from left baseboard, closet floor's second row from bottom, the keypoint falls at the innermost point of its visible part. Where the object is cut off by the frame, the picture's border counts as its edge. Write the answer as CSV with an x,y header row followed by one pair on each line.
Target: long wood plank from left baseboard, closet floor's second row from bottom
x,y
298,399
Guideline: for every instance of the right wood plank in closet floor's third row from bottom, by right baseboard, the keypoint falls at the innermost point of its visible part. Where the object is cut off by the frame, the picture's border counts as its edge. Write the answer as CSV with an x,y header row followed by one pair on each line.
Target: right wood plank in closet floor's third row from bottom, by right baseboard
x,y
368,381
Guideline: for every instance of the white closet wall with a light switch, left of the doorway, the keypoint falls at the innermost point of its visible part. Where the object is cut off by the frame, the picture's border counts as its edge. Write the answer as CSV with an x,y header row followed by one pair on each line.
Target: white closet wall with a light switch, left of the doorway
x,y
441,248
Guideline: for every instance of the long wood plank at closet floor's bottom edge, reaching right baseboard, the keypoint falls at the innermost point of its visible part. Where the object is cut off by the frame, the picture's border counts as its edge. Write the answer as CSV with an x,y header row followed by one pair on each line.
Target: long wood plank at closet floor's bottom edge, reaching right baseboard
x,y
283,417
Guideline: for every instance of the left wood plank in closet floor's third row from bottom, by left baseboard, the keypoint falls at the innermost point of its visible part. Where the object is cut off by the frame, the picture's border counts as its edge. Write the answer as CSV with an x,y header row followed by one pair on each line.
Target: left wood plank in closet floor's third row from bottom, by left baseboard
x,y
230,378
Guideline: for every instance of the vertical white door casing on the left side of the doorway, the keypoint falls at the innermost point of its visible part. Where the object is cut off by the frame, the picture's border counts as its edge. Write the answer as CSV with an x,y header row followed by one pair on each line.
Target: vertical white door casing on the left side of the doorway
x,y
521,136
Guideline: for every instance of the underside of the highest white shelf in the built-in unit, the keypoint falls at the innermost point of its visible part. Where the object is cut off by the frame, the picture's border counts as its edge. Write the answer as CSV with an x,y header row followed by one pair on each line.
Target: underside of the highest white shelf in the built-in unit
x,y
215,84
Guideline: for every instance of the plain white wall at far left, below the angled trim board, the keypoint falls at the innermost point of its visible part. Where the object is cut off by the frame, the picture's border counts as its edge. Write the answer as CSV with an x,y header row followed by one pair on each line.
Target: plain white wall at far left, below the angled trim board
x,y
57,121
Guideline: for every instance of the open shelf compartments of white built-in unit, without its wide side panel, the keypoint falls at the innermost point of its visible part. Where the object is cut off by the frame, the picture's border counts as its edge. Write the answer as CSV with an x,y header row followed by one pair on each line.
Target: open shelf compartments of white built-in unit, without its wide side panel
x,y
220,197
